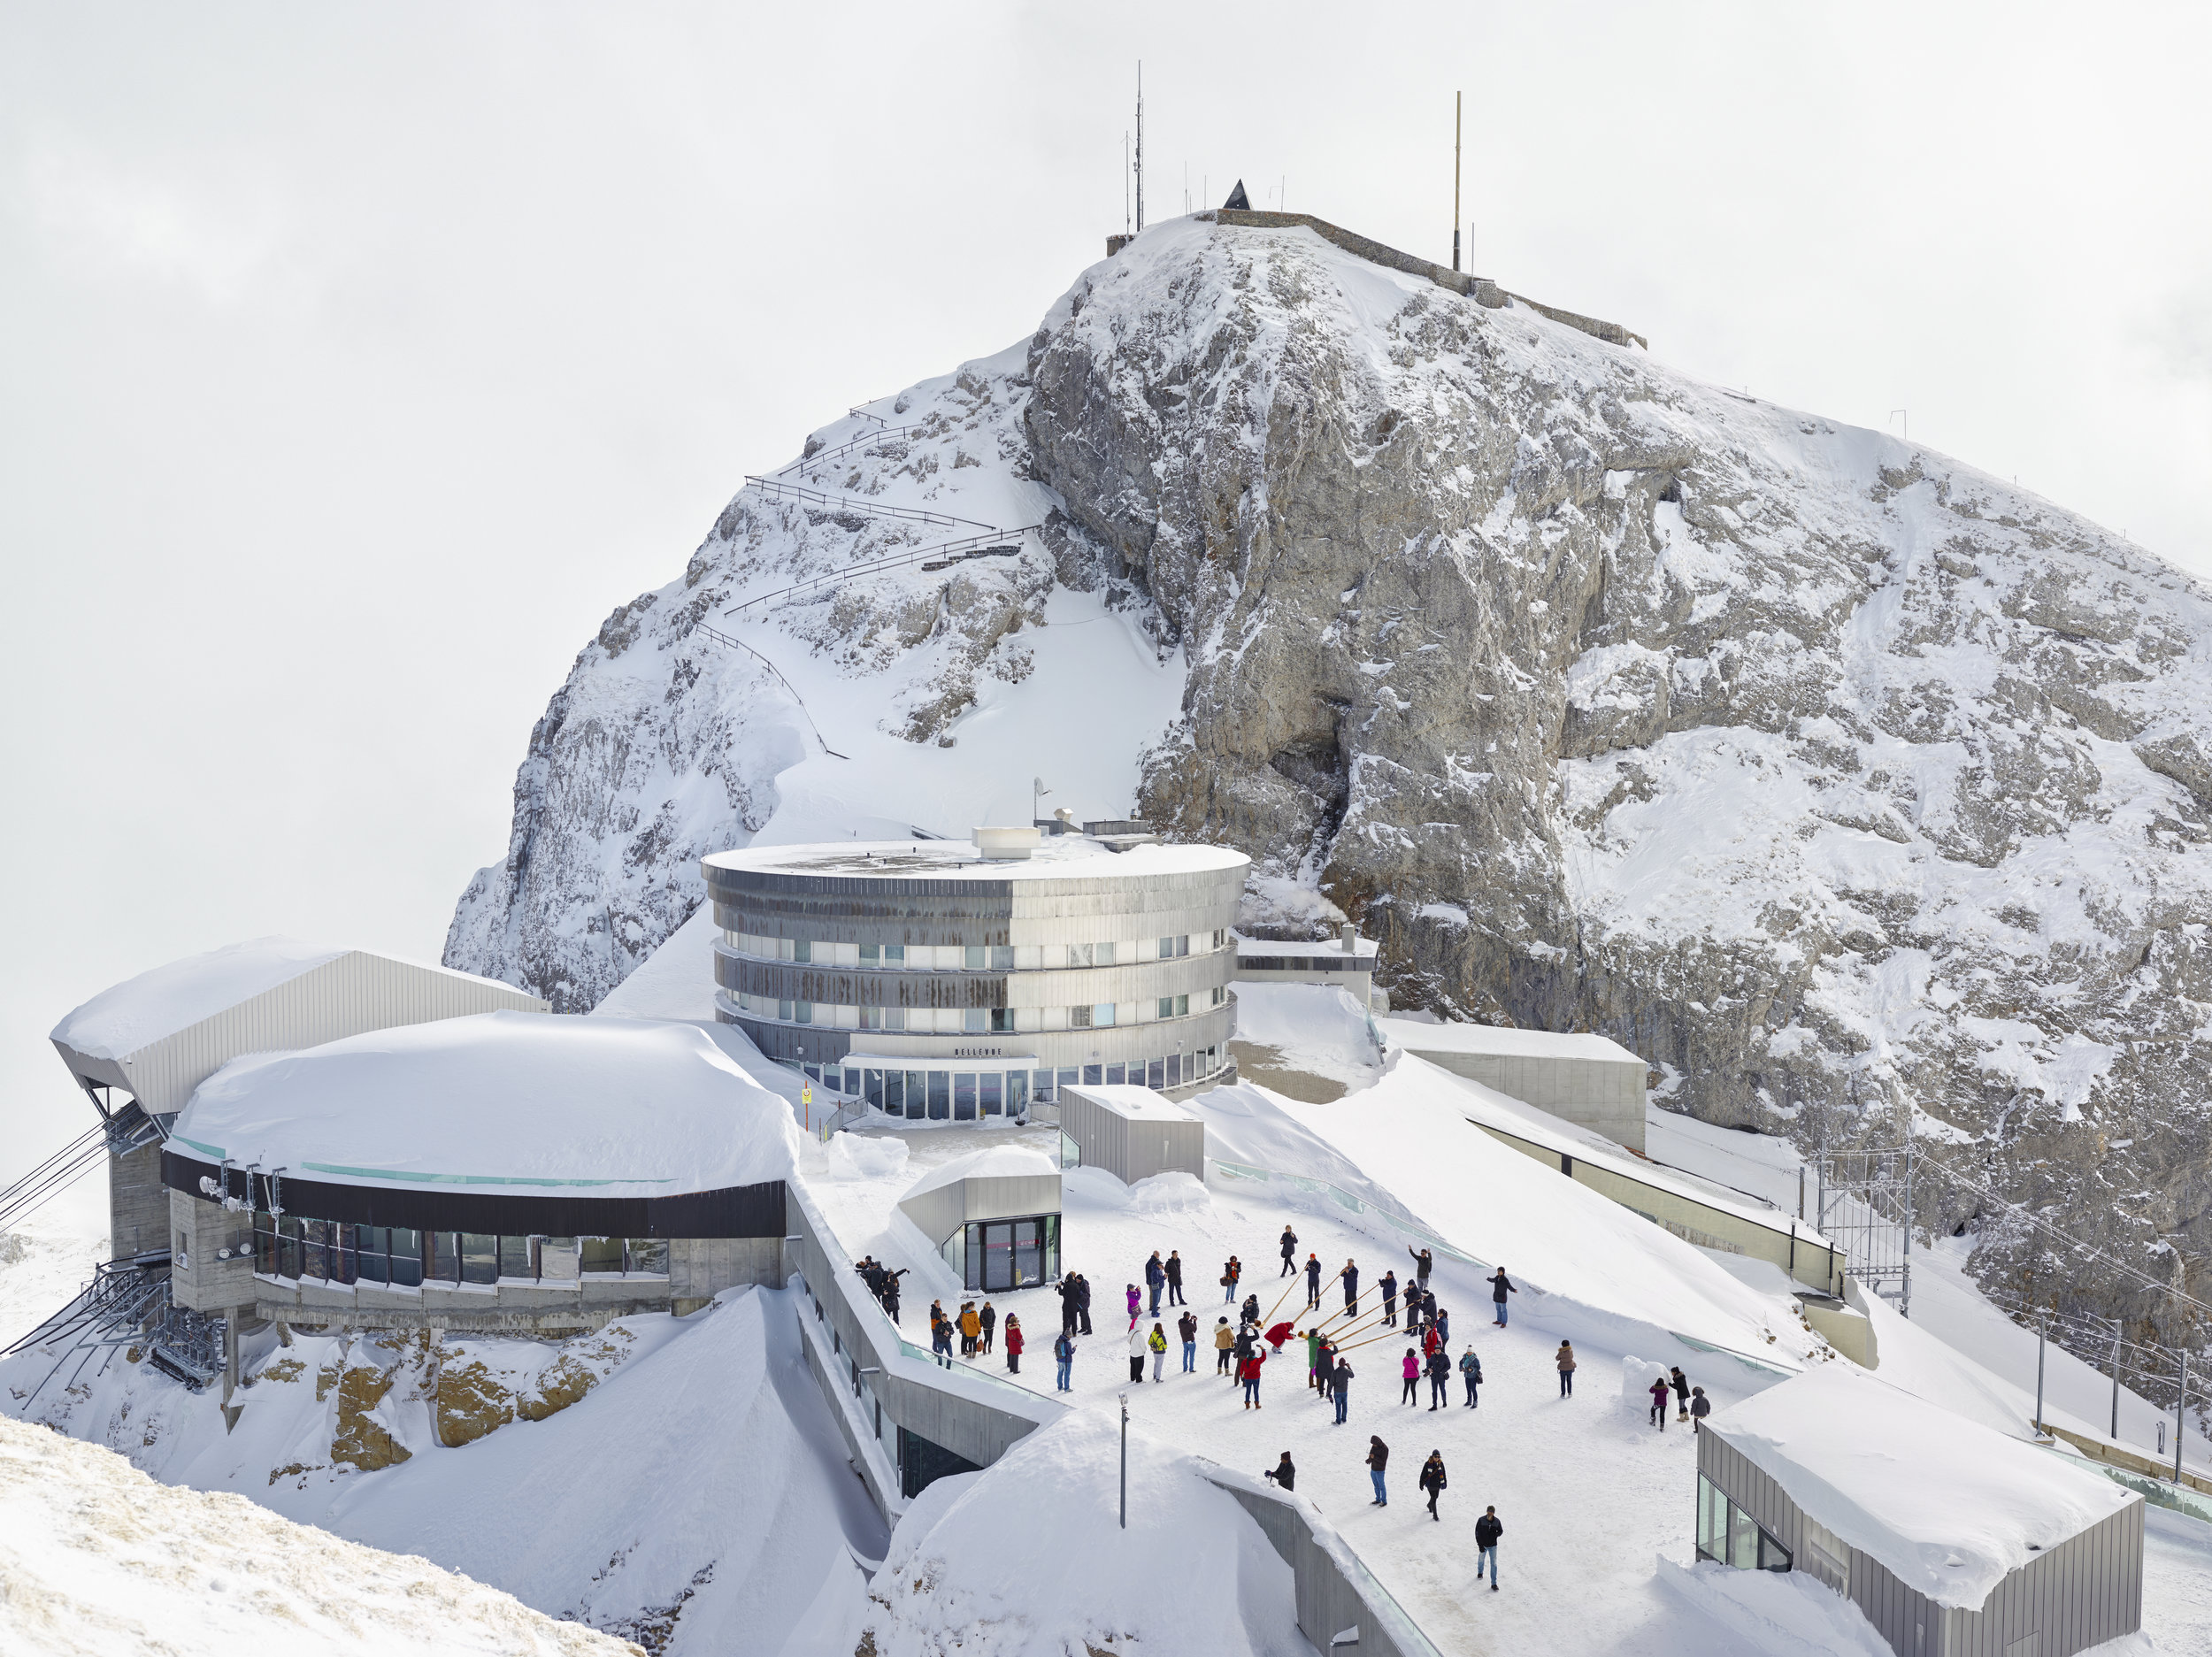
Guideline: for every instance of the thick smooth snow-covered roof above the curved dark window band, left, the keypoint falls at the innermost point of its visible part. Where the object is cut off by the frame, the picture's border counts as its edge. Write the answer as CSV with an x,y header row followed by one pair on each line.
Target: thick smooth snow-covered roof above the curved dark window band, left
x,y
603,1107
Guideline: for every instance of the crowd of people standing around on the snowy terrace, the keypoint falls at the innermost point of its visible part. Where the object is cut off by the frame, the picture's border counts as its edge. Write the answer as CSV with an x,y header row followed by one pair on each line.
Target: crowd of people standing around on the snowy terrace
x,y
1255,1340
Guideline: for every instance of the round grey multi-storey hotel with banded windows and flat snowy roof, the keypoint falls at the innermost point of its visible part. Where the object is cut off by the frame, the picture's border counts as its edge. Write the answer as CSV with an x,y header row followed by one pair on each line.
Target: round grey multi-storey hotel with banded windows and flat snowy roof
x,y
957,981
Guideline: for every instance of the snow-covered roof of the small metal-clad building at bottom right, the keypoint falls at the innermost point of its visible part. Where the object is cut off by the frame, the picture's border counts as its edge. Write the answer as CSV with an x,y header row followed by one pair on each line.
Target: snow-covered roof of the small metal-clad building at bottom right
x,y
1945,1503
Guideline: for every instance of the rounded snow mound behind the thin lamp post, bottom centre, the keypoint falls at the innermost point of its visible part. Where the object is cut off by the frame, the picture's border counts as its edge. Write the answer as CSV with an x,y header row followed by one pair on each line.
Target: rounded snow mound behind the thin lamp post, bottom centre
x,y
1027,1559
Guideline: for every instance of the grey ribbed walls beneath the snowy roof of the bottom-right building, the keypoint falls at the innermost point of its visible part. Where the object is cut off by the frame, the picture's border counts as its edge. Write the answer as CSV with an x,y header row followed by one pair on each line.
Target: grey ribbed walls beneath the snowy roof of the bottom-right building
x,y
2074,1596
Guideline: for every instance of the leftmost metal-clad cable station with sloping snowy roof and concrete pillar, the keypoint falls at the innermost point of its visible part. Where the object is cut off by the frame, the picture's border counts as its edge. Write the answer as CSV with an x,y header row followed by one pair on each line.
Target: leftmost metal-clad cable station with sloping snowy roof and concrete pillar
x,y
158,1036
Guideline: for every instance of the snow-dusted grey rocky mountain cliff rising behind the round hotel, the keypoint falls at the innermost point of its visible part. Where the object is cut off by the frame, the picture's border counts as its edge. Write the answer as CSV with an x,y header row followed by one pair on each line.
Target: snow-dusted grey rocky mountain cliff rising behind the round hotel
x,y
1830,775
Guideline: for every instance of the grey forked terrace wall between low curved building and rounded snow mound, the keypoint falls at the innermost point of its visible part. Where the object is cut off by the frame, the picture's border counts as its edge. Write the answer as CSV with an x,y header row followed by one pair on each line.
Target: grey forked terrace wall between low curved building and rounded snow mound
x,y
968,1413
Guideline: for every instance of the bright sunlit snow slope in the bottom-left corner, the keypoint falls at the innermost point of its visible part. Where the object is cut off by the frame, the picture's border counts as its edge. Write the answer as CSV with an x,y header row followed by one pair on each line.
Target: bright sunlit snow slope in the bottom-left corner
x,y
98,1559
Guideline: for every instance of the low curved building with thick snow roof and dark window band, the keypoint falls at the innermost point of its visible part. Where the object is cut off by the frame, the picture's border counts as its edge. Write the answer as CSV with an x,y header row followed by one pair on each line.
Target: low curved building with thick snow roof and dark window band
x,y
497,1174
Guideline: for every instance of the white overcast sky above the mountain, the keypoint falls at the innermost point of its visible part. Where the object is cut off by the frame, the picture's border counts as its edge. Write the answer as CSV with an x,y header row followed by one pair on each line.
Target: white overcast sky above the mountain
x,y
357,362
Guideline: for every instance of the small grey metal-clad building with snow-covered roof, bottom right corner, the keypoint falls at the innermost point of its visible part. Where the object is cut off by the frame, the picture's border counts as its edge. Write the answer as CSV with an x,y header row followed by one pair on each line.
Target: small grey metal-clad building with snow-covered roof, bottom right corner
x,y
2078,1590
